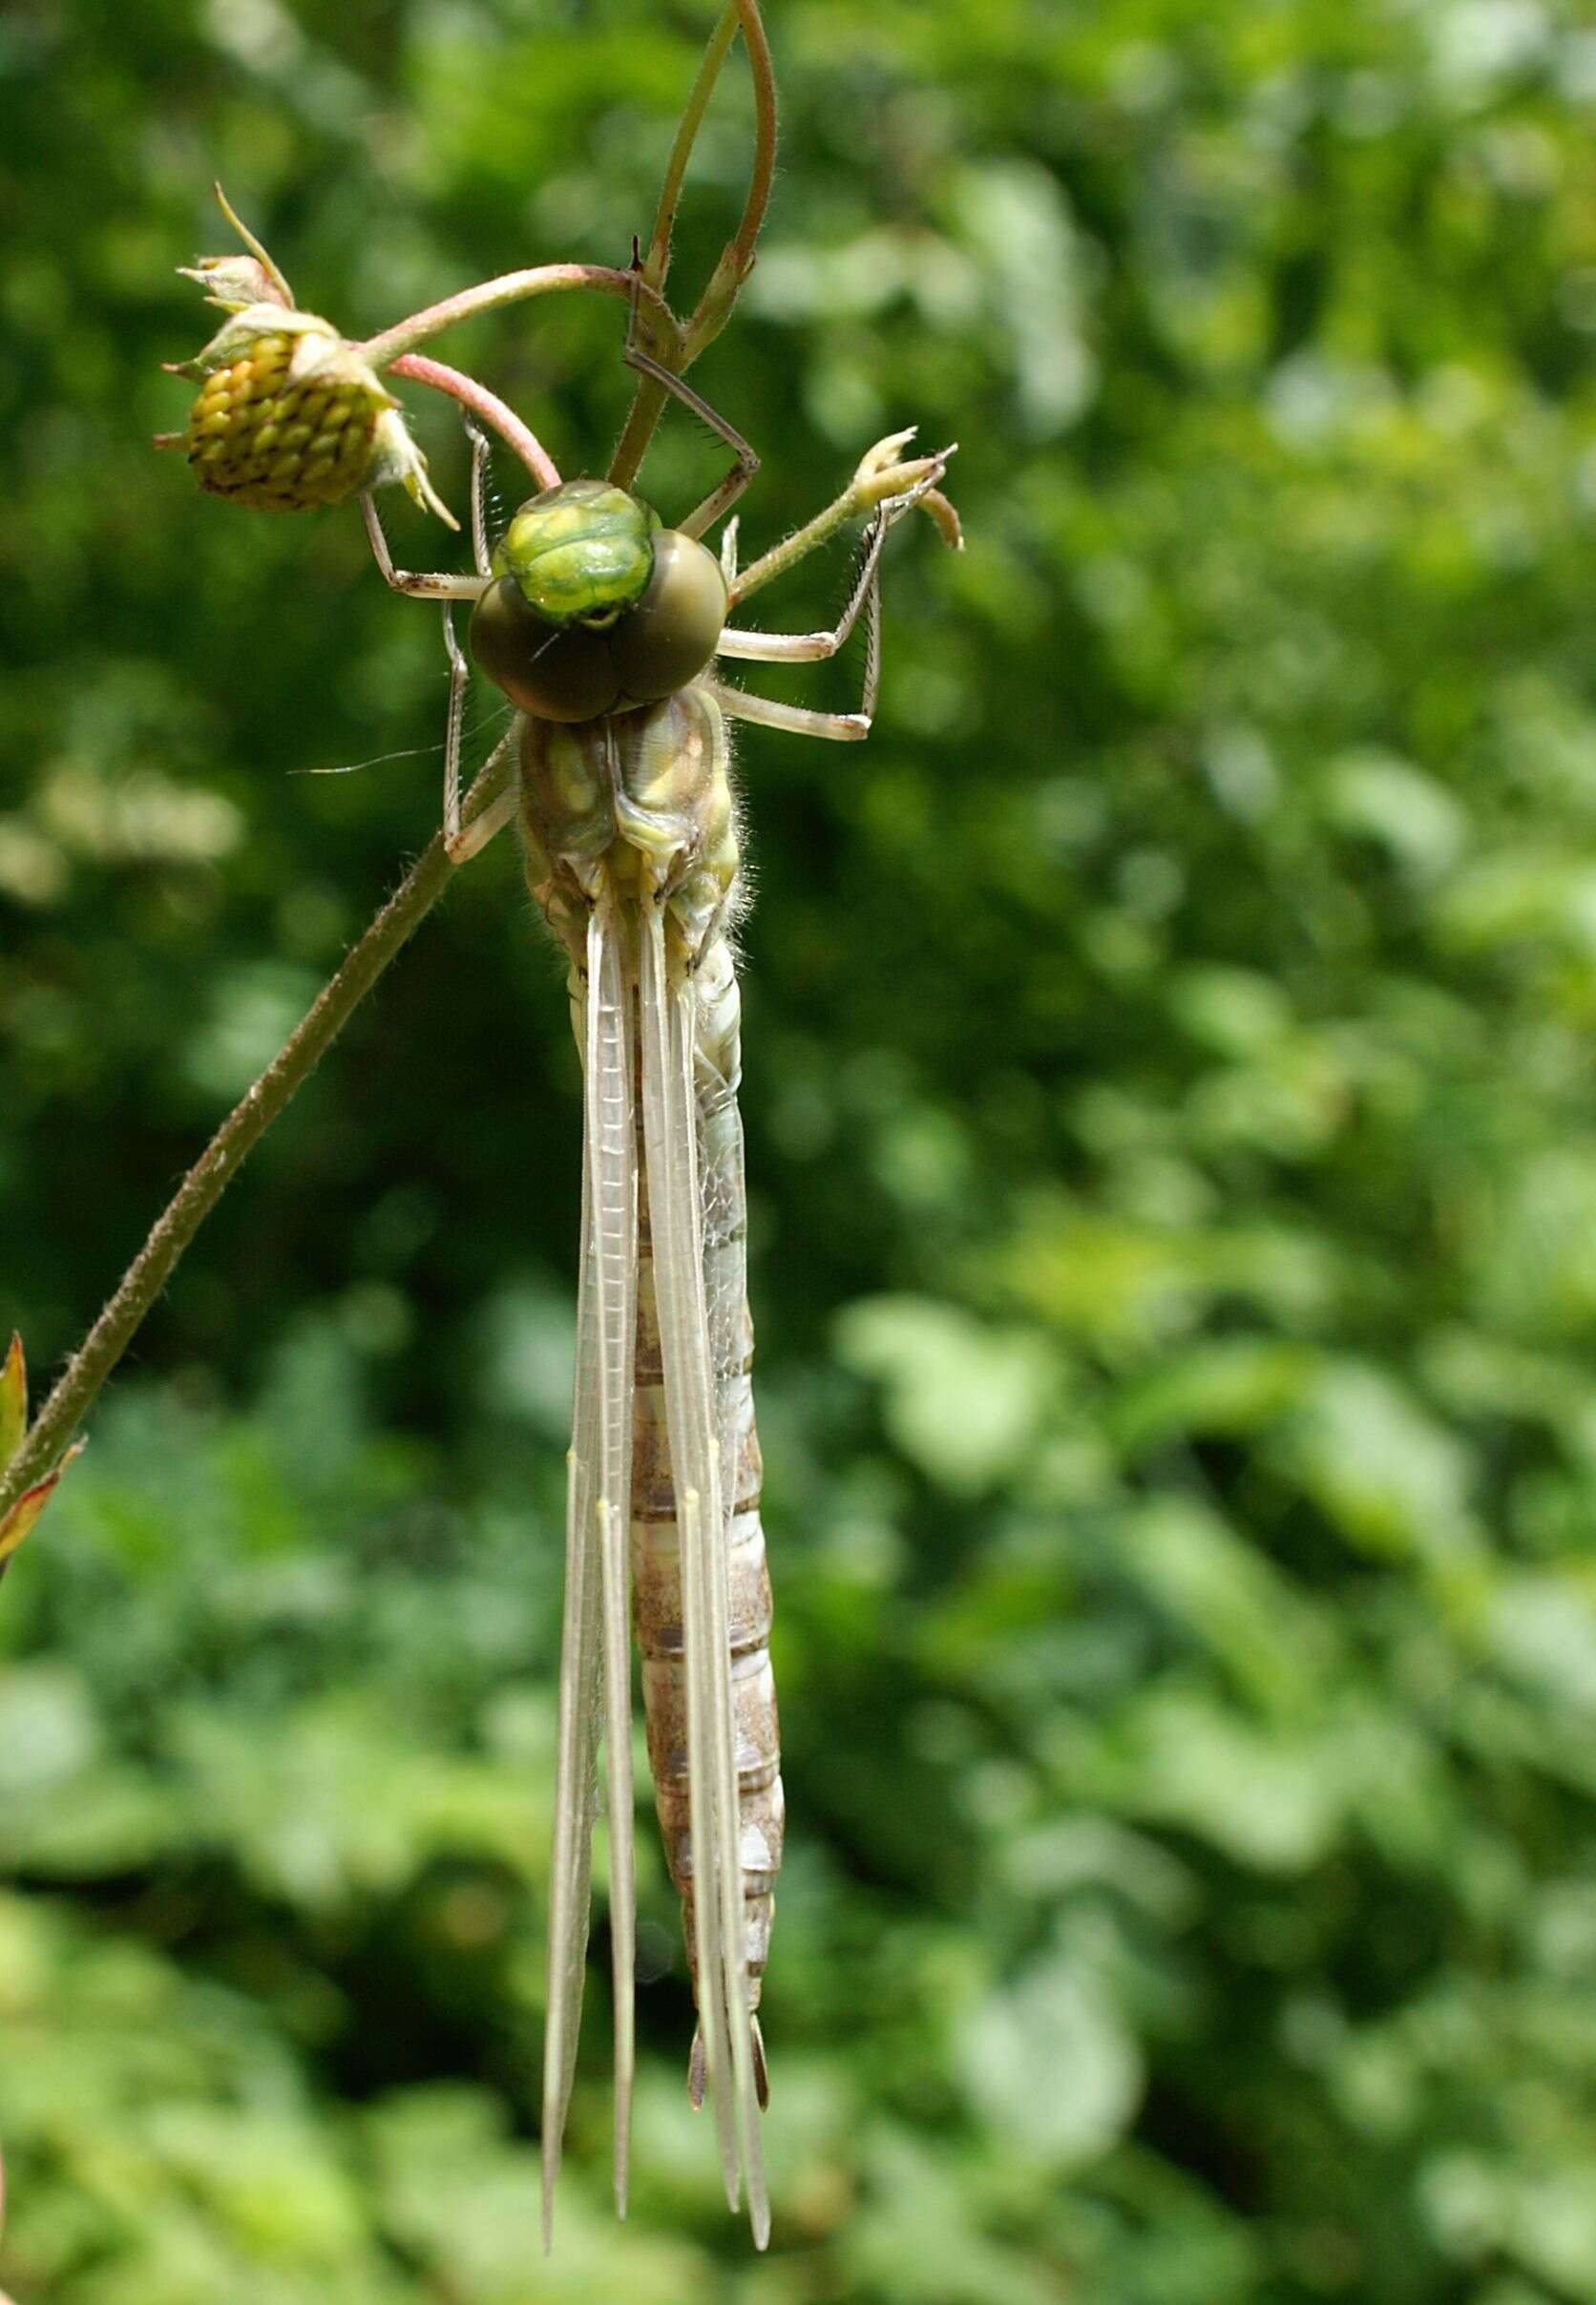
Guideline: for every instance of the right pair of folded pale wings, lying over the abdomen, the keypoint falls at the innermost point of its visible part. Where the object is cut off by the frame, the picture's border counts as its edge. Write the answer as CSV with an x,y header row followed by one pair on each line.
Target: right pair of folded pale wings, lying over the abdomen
x,y
677,1225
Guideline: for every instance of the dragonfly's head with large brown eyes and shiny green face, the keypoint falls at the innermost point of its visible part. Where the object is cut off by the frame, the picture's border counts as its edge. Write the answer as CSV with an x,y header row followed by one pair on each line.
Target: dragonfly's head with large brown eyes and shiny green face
x,y
594,607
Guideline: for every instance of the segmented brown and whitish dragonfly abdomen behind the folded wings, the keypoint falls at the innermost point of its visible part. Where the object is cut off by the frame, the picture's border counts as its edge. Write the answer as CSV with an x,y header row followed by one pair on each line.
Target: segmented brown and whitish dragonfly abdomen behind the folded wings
x,y
656,1557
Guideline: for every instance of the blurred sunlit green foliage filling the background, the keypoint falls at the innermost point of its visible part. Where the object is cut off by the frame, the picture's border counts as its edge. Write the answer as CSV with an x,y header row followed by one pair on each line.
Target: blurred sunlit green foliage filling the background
x,y
1173,1151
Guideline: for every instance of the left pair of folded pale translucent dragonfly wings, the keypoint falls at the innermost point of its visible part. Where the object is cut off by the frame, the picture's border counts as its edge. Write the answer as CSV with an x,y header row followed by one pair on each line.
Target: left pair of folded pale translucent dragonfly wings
x,y
596,1649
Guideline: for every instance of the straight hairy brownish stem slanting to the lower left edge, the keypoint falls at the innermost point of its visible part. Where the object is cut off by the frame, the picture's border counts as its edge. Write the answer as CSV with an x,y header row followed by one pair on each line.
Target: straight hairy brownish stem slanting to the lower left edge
x,y
218,1165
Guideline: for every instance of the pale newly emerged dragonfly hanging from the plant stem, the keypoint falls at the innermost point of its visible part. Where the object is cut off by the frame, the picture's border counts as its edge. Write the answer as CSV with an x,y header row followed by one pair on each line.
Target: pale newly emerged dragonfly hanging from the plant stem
x,y
603,628
